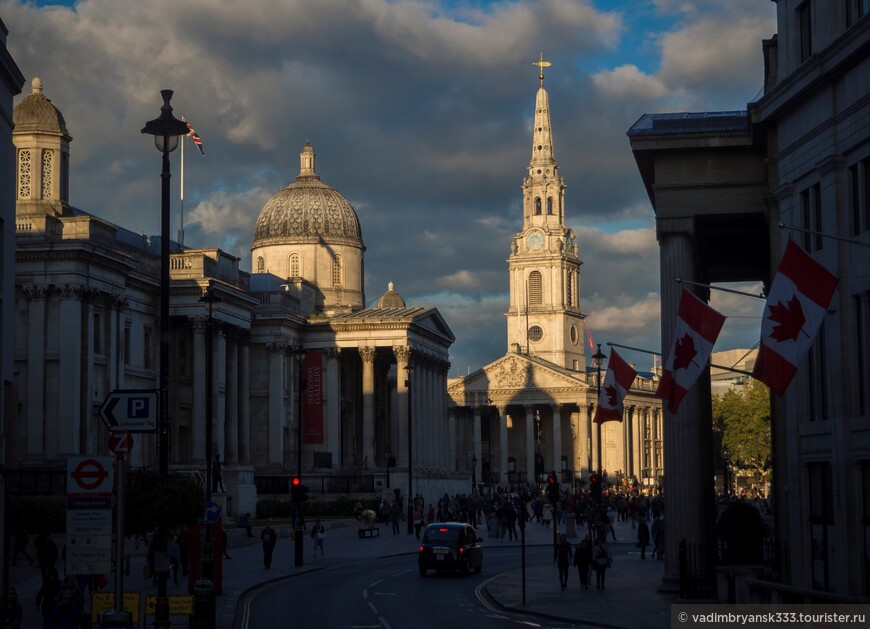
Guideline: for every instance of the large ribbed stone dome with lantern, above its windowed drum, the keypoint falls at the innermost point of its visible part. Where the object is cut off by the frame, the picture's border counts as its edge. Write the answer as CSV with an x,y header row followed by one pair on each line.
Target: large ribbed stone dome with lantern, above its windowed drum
x,y
307,208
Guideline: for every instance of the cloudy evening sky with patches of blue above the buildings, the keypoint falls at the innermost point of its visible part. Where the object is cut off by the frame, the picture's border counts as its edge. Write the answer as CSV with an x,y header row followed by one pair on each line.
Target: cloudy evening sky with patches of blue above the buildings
x,y
420,113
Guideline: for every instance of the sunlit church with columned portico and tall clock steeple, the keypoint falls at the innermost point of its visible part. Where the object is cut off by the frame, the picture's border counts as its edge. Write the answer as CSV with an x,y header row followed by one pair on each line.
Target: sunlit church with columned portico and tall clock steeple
x,y
530,412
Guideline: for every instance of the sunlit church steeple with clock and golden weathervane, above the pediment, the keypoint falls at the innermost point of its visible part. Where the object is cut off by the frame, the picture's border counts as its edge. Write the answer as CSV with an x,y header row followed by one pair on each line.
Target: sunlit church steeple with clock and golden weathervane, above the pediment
x,y
544,319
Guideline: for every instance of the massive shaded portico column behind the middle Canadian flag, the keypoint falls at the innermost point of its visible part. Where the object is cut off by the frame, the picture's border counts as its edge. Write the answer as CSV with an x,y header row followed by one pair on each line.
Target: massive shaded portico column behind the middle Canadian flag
x,y
688,467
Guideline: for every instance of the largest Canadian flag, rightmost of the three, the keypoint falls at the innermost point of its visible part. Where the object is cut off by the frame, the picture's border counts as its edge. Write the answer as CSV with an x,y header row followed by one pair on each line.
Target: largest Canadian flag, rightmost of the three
x,y
796,307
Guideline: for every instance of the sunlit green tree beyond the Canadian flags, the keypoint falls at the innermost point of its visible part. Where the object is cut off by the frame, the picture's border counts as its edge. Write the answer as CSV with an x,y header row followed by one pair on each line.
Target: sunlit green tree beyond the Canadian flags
x,y
742,418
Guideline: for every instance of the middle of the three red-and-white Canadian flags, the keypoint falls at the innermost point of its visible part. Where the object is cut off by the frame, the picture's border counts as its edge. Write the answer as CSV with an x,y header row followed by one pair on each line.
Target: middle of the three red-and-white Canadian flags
x,y
698,326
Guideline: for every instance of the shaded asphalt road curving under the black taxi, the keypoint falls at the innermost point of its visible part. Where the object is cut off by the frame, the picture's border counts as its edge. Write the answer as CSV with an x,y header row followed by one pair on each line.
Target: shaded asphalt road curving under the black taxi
x,y
387,593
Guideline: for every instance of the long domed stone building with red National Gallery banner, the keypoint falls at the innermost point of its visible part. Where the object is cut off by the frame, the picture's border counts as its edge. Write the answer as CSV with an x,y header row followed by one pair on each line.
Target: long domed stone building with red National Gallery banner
x,y
304,377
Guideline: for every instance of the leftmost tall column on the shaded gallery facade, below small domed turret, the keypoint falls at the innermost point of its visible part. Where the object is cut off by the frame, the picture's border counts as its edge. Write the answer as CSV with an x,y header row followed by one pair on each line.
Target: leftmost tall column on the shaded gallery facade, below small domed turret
x,y
35,401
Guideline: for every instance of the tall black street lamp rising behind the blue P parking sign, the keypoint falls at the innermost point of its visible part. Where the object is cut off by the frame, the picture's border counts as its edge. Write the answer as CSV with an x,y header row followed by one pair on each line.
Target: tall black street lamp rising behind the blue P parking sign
x,y
165,129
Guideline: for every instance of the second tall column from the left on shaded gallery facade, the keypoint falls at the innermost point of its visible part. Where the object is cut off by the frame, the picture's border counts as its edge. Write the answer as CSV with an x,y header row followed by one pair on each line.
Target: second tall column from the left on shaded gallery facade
x,y
67,416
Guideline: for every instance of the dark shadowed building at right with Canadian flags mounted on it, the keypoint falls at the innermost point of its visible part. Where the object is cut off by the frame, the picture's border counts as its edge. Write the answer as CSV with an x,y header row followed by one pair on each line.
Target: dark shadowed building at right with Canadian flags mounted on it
x,y
794,165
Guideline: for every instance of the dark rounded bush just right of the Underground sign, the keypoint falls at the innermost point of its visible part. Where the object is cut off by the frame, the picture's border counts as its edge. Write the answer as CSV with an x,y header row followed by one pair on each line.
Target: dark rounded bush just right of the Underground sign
x,y
174,501
